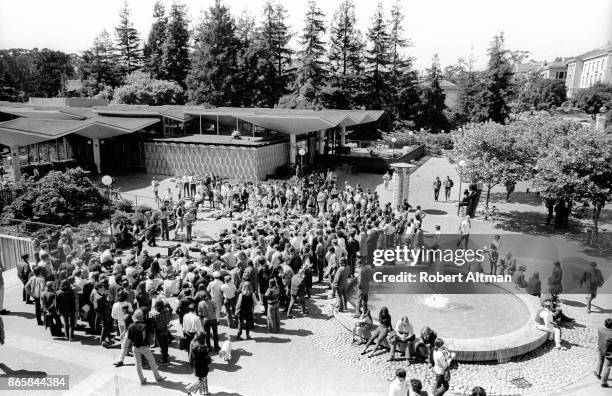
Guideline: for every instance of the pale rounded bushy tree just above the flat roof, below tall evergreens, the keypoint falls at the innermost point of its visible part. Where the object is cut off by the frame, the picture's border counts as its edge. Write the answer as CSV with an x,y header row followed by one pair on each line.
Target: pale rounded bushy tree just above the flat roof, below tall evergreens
x,y
140,88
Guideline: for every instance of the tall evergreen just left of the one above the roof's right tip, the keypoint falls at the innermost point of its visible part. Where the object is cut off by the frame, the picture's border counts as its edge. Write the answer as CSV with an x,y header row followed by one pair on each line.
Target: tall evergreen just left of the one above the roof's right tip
x,y
345,59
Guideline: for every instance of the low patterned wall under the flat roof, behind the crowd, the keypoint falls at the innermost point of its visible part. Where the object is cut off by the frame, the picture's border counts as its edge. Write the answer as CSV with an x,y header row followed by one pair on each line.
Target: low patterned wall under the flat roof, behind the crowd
x,y
233,162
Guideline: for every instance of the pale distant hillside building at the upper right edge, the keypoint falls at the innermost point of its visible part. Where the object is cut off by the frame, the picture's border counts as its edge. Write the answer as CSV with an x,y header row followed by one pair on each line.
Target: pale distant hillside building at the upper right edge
x,y
584,70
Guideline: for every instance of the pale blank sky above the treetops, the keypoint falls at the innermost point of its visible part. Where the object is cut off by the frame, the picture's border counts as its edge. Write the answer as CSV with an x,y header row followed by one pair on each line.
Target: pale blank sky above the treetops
x,y
450,28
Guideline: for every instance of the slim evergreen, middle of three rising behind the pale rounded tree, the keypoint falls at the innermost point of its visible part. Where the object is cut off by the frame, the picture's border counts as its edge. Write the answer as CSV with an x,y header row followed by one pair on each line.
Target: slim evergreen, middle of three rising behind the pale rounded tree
x,y
154,47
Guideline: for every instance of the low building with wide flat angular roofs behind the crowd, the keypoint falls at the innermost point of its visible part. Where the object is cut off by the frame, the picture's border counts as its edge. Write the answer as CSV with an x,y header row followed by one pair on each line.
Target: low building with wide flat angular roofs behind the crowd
x,y
238,143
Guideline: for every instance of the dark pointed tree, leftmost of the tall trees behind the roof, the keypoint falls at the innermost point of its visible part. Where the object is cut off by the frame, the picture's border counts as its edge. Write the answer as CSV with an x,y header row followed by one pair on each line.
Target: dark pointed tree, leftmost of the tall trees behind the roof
x,y
100,67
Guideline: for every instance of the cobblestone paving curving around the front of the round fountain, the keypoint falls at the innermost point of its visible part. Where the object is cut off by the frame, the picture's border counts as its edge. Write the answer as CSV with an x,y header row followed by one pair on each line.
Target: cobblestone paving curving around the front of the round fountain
x,y
543,371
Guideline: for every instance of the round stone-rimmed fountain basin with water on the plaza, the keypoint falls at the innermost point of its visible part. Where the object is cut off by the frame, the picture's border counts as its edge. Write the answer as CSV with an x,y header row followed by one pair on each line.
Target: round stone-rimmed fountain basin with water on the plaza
x,y
477,327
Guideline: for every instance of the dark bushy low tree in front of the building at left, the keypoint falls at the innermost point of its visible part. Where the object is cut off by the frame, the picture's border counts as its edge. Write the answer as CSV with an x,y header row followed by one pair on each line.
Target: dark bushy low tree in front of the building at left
x,y
57,197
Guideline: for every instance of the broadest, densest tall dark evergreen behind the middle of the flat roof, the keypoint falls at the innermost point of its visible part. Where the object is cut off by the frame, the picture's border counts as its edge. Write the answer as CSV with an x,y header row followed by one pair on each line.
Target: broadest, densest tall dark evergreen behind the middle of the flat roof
x,y
211,78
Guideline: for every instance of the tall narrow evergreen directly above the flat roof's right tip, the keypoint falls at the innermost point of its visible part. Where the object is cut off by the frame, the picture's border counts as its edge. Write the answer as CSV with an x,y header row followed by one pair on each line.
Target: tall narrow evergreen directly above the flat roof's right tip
x,y
378,63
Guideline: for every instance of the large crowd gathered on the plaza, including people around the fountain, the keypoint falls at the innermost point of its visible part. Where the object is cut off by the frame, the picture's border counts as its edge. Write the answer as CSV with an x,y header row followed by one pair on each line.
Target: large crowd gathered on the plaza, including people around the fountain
x,y
287,235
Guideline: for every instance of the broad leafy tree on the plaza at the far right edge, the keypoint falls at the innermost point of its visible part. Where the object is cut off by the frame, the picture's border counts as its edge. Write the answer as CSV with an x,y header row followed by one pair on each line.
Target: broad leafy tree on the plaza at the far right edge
x,y
578,166
